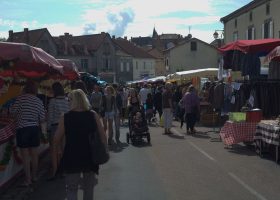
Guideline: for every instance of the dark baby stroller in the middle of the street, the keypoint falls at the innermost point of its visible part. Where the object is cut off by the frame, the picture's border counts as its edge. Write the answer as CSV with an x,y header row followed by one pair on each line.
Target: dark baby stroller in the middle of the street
x,y
137,124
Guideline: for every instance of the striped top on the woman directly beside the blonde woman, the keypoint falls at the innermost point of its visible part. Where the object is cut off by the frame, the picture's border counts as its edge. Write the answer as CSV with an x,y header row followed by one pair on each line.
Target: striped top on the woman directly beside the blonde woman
x,y
57,106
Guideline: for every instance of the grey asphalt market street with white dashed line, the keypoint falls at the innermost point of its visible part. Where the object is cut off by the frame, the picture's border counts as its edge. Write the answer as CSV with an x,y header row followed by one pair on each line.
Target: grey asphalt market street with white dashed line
x,y
179,167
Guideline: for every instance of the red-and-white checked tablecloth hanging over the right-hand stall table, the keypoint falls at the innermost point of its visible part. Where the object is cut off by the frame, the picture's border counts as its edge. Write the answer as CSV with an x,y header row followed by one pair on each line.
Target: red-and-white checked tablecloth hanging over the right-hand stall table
x,y
236,132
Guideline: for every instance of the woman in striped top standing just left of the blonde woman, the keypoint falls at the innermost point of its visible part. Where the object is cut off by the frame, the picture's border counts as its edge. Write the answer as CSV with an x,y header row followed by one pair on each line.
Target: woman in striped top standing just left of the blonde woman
x,y
57,106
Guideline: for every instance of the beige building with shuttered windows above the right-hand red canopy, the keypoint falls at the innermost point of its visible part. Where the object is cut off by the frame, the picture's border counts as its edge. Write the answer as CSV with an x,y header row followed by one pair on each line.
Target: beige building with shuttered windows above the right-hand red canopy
x,y
259,19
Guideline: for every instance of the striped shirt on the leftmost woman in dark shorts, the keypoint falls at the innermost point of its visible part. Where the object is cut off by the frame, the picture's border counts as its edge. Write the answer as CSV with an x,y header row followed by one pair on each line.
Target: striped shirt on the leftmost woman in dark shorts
x,y
28,110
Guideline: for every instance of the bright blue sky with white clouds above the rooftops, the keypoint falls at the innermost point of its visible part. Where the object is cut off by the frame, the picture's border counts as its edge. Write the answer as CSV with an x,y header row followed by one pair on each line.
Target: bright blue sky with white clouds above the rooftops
x,y
131,18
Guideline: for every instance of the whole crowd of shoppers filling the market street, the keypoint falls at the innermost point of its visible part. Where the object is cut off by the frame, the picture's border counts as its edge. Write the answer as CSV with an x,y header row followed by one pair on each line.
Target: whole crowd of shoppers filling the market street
x,y
66,120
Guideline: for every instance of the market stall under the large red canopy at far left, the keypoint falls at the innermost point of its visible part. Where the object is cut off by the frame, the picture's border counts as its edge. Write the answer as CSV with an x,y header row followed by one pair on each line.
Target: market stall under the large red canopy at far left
x,y
18,63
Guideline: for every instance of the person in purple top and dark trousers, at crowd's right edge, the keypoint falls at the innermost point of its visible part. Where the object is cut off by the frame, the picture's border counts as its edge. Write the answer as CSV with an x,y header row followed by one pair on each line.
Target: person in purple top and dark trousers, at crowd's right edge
x,y
190,102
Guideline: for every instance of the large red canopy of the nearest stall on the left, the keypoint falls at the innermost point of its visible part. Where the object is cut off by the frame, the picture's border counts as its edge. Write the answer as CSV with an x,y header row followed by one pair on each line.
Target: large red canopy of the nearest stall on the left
x,y
19,59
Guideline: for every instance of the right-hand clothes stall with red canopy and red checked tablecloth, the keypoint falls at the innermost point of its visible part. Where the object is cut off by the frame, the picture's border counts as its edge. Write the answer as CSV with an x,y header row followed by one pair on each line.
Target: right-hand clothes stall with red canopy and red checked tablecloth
x,y
256,91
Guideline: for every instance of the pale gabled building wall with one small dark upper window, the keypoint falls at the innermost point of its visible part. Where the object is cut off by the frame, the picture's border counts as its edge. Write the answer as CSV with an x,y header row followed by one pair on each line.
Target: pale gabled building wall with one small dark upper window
x,y
190,55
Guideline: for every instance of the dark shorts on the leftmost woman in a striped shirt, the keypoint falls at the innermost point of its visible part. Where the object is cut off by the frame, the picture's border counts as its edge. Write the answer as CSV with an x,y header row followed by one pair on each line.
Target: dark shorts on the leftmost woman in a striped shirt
x,y
28,137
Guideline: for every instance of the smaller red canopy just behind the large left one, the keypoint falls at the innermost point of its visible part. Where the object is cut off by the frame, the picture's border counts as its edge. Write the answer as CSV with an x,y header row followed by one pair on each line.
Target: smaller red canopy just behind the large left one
x,y
70,69
